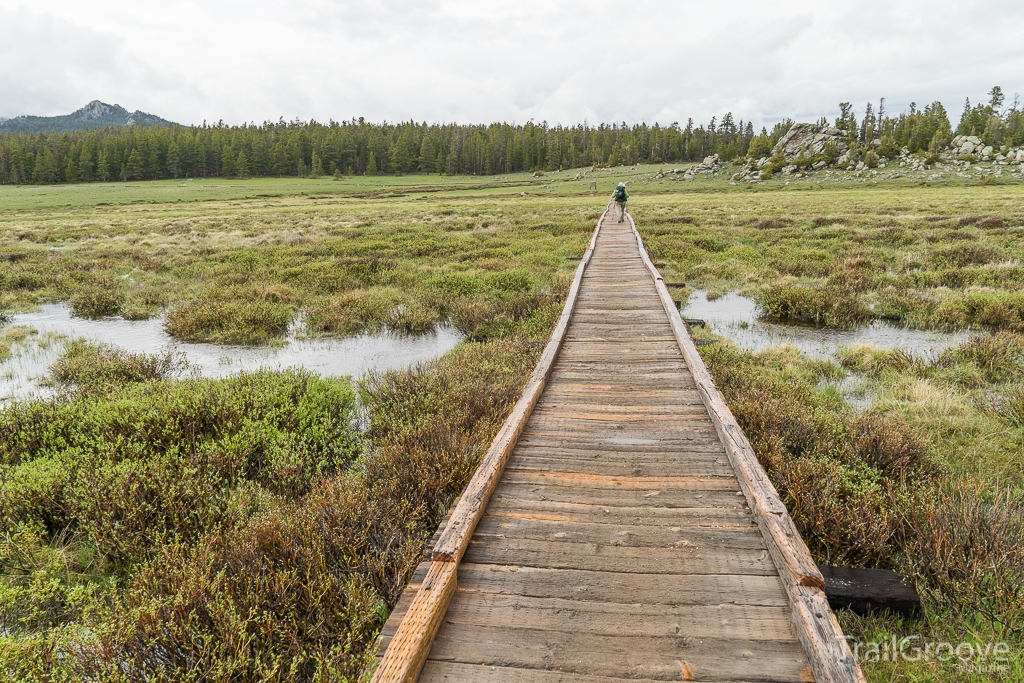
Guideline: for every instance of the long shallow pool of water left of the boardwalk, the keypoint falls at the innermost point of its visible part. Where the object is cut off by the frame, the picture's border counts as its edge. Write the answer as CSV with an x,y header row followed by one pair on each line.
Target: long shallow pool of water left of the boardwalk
x,y
21,375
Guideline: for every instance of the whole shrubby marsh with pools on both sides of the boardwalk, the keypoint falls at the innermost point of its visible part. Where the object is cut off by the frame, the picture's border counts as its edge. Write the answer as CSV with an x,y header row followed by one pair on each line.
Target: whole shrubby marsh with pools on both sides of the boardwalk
x,y
260,526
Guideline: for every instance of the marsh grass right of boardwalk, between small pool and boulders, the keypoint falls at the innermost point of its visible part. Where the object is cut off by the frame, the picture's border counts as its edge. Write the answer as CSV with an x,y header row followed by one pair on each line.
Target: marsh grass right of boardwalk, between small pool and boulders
x,y
945,261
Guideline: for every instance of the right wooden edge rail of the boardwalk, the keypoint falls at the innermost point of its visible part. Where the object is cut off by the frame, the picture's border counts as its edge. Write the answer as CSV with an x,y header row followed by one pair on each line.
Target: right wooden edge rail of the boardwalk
x,y
820,632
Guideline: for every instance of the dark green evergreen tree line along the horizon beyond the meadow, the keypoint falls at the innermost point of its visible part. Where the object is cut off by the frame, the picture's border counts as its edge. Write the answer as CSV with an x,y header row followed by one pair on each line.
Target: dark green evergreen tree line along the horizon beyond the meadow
x,y
300,149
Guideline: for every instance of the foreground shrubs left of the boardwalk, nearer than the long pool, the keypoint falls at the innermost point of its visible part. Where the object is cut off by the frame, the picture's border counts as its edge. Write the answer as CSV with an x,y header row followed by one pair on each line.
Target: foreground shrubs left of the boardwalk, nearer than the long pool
x,y
238,533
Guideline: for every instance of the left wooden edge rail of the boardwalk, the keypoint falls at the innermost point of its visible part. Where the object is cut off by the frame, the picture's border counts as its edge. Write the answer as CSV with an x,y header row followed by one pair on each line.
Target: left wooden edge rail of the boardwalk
x,y
408,651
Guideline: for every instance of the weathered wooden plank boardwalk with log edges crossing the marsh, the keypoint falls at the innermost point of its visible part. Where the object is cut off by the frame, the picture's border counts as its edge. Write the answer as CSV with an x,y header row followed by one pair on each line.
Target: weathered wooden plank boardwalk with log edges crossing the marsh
x,y
618,530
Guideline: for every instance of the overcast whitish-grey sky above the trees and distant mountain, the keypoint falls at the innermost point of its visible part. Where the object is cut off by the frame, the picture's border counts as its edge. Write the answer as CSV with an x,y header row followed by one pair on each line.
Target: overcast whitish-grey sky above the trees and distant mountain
x,y
479,61
